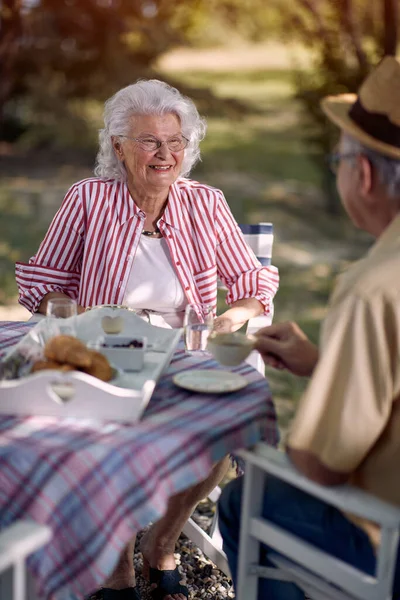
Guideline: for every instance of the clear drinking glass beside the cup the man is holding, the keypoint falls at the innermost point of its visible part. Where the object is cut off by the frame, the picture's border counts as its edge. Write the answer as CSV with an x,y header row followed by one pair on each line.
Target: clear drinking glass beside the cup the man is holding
x,y
198,324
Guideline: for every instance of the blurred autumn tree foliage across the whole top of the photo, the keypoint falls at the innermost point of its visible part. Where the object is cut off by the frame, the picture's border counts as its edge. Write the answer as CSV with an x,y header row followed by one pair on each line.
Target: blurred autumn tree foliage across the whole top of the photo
x,y
54,52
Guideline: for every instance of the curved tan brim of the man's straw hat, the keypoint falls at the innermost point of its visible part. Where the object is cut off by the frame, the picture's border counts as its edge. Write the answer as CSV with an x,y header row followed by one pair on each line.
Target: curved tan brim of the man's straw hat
x,y
337,109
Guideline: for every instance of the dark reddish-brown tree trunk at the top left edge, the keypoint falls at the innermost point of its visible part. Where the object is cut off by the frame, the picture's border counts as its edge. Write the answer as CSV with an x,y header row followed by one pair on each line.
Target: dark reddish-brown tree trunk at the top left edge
x,y
10,35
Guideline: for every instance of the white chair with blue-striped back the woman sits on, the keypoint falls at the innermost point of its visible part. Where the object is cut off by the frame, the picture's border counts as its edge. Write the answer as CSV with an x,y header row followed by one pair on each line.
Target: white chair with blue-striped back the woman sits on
x,y
260,238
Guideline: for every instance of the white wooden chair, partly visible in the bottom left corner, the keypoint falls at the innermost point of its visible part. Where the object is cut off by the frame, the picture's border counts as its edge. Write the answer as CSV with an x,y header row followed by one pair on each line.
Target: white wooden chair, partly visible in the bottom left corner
x,y
17,542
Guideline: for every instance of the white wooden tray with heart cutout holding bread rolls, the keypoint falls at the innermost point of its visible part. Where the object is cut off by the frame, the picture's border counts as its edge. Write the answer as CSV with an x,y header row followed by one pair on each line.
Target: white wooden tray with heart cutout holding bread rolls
x,y
75,394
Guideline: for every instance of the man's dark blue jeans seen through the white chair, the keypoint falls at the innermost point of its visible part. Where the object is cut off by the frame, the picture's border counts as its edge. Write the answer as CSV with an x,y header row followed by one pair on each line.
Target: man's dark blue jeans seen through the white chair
x,y
305,516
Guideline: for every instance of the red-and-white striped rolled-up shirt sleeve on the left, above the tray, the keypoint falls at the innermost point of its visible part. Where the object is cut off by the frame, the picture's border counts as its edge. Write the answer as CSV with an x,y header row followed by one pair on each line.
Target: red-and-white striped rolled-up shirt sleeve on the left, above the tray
x,y
57,265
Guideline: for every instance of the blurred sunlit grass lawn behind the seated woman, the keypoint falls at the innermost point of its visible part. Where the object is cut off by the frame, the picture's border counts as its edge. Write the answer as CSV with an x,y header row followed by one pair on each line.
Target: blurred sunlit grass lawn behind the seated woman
x,y
261,158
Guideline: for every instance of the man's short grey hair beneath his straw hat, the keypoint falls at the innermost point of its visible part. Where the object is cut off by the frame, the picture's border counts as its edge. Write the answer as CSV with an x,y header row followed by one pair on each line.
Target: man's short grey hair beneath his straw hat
x,y
388,168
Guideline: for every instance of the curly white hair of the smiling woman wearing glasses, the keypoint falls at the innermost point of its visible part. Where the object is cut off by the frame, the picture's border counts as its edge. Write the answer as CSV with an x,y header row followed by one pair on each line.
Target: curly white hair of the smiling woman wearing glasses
x,y
146,97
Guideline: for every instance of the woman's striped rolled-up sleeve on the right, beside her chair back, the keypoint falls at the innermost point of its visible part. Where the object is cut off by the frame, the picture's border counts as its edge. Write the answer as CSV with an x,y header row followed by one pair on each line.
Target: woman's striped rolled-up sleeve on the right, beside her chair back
x,y
237,265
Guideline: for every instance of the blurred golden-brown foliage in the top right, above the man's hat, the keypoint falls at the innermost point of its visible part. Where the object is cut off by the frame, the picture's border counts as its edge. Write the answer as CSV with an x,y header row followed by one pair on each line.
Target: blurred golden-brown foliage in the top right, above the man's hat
x,y
346,39
